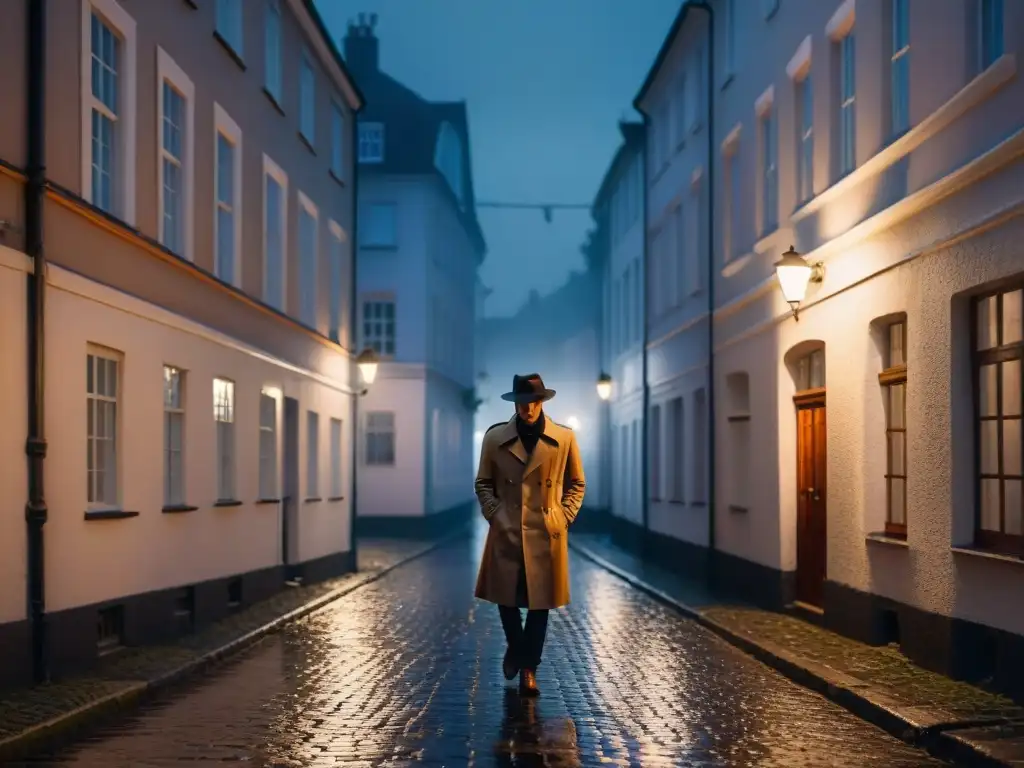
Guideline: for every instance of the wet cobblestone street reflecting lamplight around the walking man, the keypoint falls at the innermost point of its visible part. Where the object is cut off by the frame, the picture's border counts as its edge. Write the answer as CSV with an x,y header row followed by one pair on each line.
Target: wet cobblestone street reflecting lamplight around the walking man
x,y
406,671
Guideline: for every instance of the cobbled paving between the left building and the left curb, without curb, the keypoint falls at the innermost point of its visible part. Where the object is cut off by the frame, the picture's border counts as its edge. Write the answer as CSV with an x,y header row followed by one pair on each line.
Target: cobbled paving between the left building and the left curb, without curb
x,y
124,671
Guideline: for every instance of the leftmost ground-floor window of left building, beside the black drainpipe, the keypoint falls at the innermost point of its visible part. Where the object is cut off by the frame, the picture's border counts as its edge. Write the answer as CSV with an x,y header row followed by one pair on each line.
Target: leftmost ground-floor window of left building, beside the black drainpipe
x,y
103,375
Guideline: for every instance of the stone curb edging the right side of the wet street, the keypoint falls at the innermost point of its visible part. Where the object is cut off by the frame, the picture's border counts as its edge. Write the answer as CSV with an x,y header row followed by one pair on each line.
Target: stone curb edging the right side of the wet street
x,y
855,696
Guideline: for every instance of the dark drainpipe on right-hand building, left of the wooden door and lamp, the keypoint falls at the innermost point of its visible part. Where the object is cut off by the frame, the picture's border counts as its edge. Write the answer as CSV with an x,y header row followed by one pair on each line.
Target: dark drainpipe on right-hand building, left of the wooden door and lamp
x,y
712,425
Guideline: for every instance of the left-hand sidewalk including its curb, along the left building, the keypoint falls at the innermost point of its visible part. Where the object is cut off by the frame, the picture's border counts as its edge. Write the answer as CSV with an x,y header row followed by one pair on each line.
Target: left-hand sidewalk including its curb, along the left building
x,y
53,714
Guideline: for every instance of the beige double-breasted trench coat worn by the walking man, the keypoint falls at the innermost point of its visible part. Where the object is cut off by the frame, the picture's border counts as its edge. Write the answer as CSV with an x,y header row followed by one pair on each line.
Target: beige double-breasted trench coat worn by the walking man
x,y
530,503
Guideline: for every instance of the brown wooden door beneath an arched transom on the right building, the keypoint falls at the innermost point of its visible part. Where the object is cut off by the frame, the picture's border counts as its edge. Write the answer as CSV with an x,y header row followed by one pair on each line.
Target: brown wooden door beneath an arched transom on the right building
x,y
812,499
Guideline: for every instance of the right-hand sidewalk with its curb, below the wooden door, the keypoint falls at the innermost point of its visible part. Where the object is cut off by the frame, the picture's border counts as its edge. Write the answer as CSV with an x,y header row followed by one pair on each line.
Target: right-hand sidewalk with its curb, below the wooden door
x,y
952,720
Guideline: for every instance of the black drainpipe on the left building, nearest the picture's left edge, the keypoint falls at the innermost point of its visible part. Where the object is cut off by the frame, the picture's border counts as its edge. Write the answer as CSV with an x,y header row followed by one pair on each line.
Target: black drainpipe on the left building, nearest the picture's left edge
x,y
35,447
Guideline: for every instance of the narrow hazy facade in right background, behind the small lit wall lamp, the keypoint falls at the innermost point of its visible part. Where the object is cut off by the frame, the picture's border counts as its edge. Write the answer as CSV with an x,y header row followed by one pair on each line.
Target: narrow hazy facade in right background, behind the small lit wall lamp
x,y
618,214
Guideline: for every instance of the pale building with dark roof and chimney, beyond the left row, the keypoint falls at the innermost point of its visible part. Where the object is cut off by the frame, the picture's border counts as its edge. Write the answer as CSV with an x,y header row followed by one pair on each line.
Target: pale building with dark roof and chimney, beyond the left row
x,y
420,246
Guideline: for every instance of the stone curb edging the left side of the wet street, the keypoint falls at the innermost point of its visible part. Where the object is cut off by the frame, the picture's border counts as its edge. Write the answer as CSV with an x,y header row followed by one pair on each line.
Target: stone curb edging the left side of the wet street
x,y
62,730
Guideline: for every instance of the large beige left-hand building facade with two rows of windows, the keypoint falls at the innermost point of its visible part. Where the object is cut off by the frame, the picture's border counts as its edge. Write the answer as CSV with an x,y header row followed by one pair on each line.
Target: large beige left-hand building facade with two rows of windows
x,y
195,222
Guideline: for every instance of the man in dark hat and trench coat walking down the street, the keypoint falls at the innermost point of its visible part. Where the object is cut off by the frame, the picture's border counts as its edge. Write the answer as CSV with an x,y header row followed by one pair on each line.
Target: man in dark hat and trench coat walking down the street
x,y
531,488
